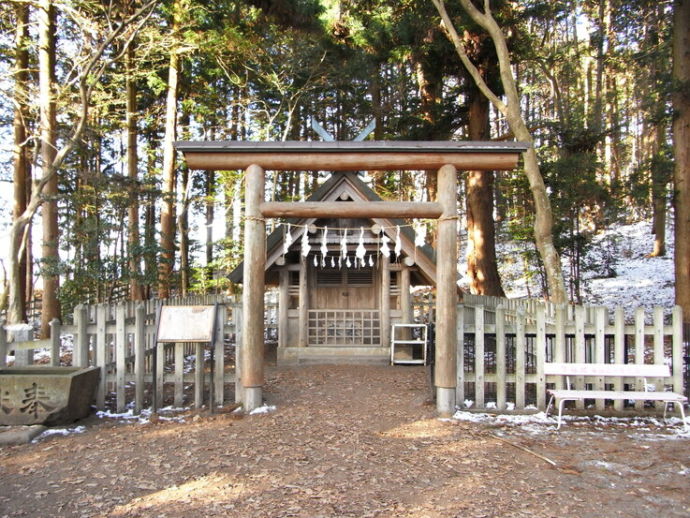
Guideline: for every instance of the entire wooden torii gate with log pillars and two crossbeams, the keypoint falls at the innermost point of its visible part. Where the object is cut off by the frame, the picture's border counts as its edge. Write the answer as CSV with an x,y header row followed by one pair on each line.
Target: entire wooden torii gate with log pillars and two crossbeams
x,y
444,157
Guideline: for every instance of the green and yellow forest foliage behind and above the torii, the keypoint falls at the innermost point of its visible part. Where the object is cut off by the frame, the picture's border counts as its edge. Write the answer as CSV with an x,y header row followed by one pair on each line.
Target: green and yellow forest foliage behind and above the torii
x,y
260,70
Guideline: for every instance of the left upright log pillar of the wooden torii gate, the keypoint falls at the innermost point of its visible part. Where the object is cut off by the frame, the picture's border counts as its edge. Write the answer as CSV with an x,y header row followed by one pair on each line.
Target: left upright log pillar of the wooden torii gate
x,y
252,356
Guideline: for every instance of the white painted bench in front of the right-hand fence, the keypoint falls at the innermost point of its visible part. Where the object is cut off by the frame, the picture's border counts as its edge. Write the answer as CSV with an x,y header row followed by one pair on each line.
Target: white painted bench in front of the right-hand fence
x,y
610,370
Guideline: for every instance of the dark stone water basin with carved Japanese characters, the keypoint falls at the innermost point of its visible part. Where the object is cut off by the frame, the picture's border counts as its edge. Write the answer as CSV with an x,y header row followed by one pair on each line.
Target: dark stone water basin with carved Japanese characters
x,y
46,395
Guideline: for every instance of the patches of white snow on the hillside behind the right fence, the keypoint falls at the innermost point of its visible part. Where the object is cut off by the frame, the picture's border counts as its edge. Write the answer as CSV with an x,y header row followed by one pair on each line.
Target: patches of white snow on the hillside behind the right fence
x,y
620,272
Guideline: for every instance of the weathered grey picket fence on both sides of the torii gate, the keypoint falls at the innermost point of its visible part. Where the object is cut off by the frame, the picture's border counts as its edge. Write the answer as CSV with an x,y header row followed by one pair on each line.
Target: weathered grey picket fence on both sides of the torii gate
x,y
502,347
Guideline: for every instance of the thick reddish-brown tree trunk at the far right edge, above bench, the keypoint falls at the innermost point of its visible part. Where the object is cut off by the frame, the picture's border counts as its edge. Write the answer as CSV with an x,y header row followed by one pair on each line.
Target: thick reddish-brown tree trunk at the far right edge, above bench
x,y
681,147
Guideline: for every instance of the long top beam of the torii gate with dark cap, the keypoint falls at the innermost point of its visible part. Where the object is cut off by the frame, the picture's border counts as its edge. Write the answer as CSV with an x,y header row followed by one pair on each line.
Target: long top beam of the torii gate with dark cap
x,y
349,156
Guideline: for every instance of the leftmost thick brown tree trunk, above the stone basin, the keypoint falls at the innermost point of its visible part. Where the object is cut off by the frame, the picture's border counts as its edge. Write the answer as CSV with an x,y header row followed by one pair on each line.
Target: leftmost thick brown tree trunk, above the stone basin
x,y
18,262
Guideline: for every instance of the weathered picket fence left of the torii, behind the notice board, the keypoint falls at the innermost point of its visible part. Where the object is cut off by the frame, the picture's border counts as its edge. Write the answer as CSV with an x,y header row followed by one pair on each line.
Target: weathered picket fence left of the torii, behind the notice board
x,y
119,338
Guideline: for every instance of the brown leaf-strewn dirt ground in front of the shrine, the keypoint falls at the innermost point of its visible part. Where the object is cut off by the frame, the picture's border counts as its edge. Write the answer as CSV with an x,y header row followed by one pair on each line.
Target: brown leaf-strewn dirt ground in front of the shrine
x,y
347,441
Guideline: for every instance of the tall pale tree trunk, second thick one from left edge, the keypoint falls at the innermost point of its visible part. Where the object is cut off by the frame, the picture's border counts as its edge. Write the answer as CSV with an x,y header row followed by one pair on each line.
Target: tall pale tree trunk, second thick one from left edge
x,y
49,248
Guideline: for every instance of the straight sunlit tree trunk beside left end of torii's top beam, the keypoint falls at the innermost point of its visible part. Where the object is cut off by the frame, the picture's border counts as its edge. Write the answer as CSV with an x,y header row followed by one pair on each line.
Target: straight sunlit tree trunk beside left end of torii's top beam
x,y
167,238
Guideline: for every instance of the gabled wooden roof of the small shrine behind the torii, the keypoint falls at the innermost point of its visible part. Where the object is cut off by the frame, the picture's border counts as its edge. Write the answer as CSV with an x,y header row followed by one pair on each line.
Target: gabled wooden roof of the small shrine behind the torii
x,y
274,243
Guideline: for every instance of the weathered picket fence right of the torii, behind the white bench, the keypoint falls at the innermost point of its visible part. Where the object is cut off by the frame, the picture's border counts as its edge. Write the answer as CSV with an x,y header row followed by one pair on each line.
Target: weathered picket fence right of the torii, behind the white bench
x,y
503,347
